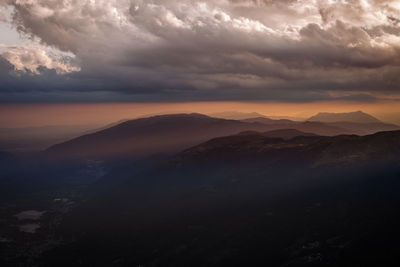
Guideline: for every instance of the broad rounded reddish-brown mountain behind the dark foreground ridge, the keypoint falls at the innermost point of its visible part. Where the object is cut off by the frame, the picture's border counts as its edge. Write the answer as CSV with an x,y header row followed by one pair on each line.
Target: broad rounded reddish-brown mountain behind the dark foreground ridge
x,y
166,134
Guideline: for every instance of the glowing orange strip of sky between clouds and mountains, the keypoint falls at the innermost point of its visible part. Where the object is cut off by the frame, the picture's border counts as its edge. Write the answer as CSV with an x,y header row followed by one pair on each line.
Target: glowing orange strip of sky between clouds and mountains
x,y
25,115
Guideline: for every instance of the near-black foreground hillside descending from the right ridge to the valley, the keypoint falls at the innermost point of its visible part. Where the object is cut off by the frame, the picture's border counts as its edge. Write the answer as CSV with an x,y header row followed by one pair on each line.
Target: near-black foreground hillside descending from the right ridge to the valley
x,y
244,200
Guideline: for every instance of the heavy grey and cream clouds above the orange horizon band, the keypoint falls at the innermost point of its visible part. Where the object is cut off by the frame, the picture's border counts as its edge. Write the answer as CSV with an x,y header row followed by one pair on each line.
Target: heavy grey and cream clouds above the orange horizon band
x,y
226,50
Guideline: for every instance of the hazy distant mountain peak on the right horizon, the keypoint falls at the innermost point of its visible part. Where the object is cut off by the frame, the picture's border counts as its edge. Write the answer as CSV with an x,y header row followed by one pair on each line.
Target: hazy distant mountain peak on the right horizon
x,y
356,116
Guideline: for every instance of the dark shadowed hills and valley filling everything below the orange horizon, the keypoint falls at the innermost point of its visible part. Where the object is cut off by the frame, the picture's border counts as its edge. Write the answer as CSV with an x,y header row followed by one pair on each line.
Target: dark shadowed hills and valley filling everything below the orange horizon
x,y
244,193
